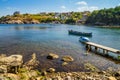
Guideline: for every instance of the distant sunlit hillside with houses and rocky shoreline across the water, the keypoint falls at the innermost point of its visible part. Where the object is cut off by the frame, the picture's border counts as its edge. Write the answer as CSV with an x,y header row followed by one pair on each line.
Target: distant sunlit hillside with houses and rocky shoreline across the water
x,y
67,18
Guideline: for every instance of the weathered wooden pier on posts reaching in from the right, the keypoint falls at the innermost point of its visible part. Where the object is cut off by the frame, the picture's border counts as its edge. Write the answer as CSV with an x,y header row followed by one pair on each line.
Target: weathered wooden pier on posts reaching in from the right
x,y
96,47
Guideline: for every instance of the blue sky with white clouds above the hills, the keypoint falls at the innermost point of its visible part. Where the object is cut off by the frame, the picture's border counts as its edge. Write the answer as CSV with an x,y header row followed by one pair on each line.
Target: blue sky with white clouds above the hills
x,y
8,7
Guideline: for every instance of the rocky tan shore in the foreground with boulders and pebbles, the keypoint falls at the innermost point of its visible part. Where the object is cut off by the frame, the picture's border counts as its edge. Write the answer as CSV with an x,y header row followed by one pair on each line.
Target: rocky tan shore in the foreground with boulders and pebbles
x,y
14,68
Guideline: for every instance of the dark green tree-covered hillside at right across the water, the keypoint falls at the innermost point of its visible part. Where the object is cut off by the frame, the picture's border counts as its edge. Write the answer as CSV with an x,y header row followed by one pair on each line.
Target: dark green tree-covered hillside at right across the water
x,y
106,17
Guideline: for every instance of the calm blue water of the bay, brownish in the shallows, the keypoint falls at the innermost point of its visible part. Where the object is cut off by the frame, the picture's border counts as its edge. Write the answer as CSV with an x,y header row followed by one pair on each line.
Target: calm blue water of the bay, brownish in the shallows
x,y
43,39
